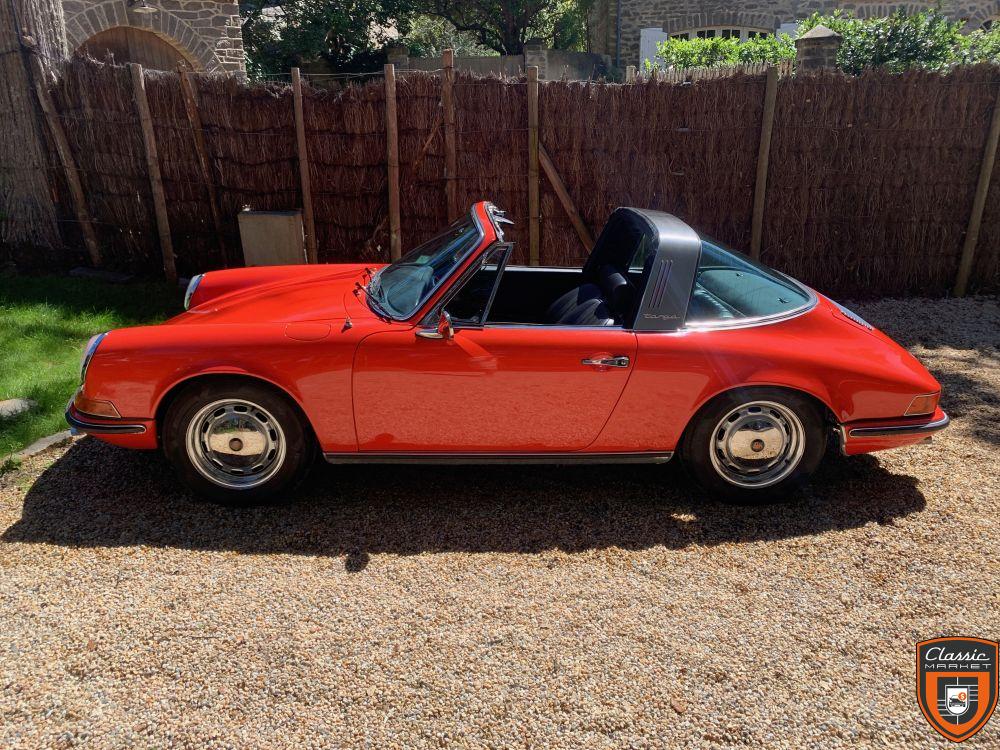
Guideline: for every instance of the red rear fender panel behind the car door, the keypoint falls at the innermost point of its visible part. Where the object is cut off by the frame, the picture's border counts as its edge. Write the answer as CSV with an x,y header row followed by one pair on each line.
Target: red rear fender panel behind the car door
x,y
856,373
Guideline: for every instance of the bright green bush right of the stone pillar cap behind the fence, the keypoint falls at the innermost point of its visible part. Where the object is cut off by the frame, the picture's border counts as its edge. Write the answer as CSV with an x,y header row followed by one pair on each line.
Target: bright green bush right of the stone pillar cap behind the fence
x,y
897,42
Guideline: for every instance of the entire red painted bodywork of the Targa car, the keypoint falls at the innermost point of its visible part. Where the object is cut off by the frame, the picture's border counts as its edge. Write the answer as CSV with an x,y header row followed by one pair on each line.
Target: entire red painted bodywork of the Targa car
x,y
370,384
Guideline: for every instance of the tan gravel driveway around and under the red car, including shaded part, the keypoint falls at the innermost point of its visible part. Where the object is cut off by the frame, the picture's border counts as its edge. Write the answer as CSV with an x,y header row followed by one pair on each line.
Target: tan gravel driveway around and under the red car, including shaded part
x,y
507,607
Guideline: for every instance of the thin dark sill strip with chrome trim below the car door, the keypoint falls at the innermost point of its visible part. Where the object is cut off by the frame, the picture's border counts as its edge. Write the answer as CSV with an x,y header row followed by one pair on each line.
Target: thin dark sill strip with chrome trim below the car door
x,y
498,458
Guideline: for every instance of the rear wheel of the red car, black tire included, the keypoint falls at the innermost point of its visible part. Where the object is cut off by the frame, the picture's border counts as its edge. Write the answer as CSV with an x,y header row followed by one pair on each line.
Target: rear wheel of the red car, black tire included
x,y
713,452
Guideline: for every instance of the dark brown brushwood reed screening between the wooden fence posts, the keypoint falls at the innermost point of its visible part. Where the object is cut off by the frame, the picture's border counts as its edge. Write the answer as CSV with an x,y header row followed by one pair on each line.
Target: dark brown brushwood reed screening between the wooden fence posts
x,y
870,181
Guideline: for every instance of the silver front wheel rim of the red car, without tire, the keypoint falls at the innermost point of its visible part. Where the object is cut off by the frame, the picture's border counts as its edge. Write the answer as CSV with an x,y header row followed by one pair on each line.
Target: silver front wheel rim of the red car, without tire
x,y
235,444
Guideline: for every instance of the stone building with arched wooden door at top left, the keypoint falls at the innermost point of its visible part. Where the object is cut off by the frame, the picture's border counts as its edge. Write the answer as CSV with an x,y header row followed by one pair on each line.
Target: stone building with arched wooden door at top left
x,y
162,34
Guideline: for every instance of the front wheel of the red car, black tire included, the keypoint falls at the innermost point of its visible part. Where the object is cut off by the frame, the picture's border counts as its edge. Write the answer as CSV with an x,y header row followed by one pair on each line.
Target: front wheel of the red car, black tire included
x,y
279,437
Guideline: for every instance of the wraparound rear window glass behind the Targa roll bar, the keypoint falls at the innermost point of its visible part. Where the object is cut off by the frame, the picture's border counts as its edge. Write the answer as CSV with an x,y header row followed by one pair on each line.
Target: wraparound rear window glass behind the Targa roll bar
x,y
729,287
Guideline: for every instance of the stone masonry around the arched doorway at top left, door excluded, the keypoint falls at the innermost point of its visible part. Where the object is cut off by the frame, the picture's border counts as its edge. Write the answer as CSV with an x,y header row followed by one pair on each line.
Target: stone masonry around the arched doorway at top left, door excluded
x,y
208,34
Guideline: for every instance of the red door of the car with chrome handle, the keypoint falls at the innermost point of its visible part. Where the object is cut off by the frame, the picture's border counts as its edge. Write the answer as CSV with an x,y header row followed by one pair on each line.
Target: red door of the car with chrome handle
x,y
497,388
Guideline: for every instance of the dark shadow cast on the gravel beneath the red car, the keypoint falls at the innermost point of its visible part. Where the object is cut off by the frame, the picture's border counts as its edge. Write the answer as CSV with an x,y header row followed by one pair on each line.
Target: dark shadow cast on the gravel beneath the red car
x,y
98,496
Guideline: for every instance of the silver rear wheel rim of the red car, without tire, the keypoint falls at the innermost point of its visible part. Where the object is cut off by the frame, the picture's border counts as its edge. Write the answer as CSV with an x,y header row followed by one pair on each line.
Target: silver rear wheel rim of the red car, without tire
x,y
757,444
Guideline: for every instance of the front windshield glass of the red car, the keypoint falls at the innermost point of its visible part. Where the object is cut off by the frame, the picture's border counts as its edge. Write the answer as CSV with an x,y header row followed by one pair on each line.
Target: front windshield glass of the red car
x,y
402,288
